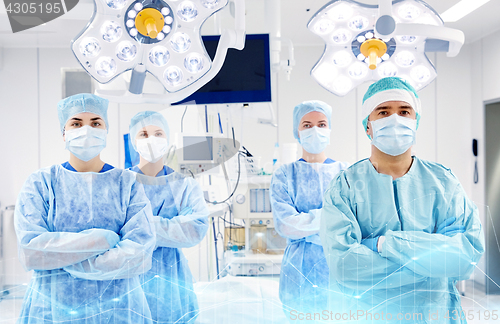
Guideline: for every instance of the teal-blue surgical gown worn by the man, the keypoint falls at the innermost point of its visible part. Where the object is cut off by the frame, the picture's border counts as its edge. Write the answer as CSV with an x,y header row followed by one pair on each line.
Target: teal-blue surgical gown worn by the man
x,y
417,270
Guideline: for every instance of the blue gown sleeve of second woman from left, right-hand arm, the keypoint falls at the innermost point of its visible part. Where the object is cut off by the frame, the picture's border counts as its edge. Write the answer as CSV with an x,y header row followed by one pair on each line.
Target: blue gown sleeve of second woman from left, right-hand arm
x,y
189,227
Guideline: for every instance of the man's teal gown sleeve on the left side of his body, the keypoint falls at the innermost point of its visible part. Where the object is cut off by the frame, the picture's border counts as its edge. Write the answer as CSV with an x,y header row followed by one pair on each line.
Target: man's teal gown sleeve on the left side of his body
x,y
351,263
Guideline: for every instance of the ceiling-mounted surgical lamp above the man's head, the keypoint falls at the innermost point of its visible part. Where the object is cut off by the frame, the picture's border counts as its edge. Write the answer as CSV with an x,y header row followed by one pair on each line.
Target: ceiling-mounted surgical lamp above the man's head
x,y
369,42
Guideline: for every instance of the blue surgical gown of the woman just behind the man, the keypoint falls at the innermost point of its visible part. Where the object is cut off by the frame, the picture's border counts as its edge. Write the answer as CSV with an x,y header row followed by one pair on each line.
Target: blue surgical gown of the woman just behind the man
x,y
296,199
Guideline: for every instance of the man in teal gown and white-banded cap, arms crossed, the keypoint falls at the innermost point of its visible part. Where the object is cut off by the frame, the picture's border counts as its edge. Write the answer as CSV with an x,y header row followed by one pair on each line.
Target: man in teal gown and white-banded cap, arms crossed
x,y
399,231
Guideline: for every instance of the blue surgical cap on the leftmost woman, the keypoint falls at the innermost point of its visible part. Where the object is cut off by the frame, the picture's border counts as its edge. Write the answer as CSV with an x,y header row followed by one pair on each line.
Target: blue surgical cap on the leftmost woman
x,y
84,102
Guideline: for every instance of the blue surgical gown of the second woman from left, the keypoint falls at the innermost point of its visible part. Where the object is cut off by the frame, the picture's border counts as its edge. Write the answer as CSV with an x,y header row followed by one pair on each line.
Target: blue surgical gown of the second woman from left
x,y
180,216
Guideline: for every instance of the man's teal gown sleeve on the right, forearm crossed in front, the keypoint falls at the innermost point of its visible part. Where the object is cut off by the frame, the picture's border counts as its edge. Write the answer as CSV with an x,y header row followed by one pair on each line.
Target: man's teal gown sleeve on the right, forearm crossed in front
x,y
437,255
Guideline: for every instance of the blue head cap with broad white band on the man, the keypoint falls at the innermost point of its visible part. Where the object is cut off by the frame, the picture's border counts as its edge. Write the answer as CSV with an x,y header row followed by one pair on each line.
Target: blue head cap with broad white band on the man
x,y
389,89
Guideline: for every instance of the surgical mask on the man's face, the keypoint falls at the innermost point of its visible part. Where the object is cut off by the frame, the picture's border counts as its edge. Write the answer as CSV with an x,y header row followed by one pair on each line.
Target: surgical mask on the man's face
x,y
394,135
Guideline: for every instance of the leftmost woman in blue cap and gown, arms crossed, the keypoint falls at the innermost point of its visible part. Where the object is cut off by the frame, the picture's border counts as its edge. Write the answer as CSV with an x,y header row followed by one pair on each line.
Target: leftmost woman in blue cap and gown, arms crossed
x,y
85,229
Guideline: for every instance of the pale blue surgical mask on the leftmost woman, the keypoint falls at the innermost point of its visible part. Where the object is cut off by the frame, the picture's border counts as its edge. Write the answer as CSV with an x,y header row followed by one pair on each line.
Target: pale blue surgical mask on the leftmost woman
x,y
85,142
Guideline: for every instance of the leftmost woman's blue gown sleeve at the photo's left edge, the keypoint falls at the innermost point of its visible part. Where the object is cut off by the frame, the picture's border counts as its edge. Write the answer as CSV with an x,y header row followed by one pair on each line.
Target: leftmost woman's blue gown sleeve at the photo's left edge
x,y
39,247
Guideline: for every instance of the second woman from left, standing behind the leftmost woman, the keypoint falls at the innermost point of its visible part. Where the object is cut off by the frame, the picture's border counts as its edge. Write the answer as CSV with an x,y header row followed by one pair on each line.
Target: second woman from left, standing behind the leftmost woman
x,y
180,217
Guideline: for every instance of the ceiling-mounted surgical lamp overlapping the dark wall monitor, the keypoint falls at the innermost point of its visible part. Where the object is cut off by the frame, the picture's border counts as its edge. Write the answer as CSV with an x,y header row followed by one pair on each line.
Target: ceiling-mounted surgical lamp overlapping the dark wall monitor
x,y
161,37
